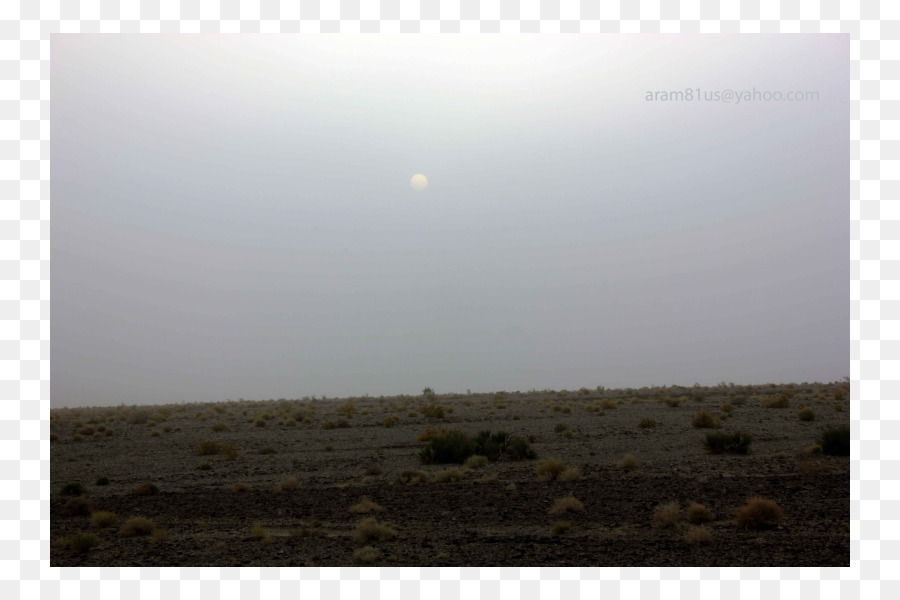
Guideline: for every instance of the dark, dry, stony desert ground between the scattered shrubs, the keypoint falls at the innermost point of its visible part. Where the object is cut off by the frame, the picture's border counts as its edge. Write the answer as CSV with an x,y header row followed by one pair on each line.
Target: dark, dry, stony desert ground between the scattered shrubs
x,y
495,515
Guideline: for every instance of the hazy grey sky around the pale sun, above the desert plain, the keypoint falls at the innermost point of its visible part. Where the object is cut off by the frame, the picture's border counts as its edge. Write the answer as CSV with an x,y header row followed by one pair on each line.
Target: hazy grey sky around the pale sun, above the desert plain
x,y
232,216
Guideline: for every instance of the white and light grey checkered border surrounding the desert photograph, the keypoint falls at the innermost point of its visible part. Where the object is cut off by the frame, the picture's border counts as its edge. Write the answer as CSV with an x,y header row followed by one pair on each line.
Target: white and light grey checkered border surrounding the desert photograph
x,y
25,25
